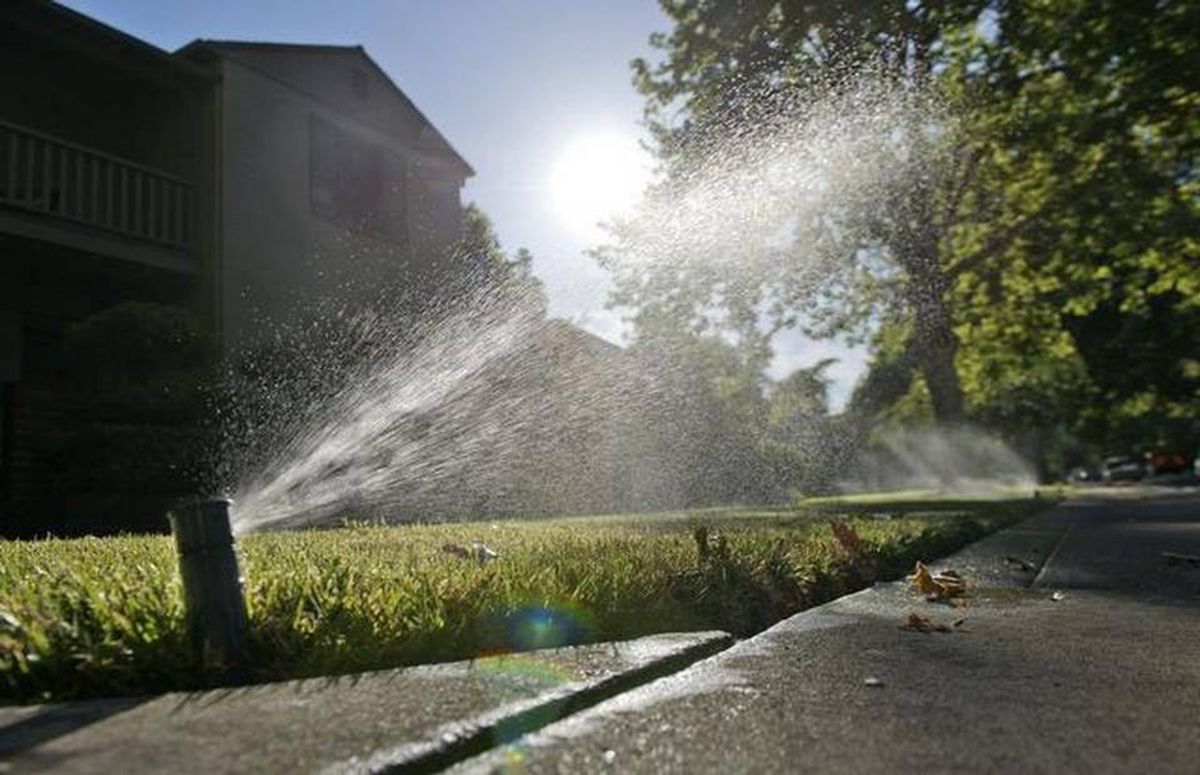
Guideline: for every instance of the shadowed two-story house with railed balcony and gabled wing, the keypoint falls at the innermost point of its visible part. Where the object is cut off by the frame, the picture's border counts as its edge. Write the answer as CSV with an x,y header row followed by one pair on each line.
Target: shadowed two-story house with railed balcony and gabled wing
x,y
233,179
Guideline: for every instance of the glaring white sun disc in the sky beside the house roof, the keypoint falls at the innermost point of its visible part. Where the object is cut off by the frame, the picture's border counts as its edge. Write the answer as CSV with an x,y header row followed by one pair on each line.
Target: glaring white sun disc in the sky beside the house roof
x,y
597,178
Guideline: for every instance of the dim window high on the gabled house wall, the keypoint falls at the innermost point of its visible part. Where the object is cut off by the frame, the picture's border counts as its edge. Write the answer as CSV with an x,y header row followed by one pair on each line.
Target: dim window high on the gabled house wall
x,y
357,184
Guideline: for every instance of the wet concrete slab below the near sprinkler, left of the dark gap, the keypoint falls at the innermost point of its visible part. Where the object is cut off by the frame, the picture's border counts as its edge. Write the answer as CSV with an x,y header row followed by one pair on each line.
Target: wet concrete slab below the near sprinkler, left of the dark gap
x,y
418,719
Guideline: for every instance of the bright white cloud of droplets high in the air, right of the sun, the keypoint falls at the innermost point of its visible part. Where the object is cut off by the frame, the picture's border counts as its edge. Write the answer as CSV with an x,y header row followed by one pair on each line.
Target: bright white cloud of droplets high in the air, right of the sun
x,y
788,193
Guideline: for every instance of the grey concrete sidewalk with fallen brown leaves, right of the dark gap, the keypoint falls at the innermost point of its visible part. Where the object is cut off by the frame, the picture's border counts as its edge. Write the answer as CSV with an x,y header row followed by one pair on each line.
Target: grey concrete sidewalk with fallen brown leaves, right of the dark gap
x,y
1102,677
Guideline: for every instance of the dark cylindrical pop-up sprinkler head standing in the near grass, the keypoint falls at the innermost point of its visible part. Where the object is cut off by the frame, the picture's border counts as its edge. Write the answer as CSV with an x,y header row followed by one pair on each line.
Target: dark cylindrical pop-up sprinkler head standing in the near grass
x,y
217,611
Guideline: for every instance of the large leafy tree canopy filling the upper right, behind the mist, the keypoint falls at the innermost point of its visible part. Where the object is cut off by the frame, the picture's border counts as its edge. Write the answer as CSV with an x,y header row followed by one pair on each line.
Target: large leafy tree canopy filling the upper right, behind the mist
x,y
1024,251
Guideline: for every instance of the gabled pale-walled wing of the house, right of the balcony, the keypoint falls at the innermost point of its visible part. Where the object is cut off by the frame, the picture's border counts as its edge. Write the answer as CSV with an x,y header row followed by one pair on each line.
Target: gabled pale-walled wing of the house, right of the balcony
x,y
329,177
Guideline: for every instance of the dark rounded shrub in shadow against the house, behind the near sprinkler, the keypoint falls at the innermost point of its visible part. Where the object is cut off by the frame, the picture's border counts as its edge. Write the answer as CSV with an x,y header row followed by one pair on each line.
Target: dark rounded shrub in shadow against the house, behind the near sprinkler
x,y
140,430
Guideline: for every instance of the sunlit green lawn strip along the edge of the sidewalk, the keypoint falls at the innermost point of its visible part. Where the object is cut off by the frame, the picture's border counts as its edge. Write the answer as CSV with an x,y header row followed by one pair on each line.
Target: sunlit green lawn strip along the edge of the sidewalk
x,y
103,617
